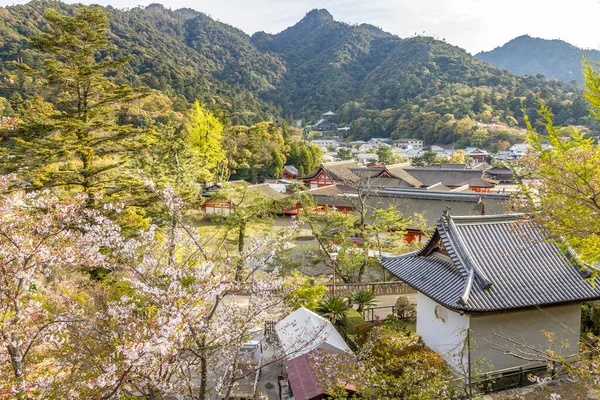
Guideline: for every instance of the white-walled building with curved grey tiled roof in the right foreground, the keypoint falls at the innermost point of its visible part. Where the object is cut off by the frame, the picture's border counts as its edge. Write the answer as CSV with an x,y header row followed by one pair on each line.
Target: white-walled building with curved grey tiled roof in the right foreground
x,y
491,285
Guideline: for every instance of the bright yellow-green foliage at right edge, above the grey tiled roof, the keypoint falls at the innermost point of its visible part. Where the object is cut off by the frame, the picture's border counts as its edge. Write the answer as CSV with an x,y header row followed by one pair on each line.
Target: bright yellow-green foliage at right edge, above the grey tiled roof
x,y
563,195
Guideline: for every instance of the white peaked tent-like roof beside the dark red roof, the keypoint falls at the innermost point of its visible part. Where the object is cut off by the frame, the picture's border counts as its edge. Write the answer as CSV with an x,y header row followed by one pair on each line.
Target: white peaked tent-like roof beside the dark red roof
x,y
303,331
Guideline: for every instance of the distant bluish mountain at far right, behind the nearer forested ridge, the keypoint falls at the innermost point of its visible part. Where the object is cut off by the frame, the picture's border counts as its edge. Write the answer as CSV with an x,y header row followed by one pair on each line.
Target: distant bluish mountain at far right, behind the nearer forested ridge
x,y
526,55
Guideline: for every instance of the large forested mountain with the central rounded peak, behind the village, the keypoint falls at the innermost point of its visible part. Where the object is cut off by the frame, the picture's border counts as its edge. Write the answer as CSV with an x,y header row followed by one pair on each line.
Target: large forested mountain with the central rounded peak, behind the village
x,y
381,84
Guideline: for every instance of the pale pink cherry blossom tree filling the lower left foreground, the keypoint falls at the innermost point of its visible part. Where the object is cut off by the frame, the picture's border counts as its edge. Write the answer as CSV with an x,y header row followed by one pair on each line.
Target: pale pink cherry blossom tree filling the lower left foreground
x,y
167,318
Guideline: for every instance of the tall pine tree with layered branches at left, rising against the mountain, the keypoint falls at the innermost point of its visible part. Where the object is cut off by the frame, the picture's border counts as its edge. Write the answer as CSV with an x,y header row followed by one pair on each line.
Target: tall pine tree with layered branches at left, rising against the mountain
x,y
80,144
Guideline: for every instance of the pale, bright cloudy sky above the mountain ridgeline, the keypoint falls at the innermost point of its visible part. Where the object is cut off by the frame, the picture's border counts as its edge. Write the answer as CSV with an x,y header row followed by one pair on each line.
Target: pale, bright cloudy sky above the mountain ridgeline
x,y
475,25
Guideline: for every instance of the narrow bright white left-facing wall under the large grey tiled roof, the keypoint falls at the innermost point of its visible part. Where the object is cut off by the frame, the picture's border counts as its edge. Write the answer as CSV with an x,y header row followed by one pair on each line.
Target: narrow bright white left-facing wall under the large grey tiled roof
x,y
444,333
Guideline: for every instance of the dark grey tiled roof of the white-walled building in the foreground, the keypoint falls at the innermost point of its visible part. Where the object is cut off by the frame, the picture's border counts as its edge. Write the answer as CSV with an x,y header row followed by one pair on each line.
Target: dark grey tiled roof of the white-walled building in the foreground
x,y
492,263
